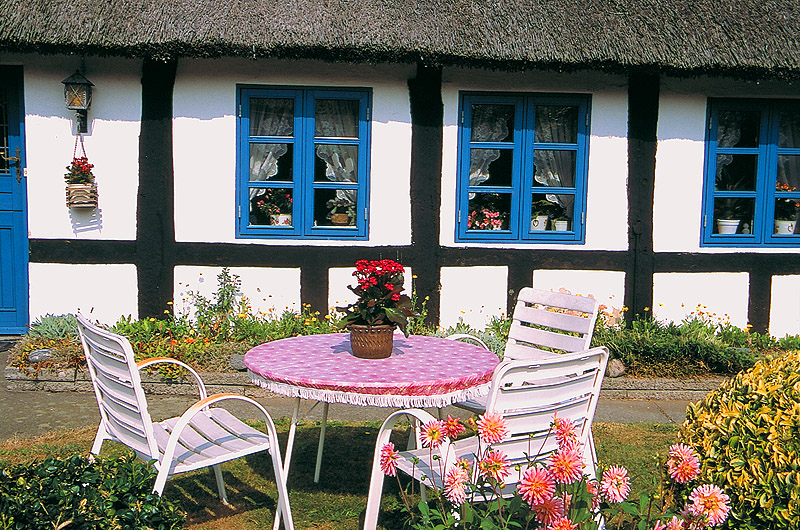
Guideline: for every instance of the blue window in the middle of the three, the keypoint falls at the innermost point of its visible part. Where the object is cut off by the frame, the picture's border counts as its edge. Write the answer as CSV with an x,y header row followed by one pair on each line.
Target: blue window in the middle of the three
x,y
522,166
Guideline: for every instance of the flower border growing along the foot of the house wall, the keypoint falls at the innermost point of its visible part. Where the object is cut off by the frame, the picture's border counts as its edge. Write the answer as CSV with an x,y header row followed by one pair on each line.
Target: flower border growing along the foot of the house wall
x,y
206,331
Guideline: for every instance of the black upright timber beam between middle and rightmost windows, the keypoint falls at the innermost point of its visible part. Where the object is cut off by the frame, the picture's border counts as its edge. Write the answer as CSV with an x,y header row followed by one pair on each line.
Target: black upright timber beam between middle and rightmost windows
x,y
643,93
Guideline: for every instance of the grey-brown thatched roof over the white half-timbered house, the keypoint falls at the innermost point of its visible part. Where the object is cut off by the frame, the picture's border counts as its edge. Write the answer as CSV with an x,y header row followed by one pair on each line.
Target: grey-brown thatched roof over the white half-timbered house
x,y
747,38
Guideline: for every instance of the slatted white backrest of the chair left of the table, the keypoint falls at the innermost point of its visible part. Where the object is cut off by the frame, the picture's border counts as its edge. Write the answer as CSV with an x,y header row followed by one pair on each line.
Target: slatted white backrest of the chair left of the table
x,y
118,388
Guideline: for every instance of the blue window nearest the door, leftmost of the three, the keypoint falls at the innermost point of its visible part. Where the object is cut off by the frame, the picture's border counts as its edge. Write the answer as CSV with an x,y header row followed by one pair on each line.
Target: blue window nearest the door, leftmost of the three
x,y
302,162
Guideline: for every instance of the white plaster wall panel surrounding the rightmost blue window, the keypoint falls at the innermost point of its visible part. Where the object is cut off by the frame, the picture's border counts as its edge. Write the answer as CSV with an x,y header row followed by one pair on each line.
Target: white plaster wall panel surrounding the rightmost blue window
x,y
680,157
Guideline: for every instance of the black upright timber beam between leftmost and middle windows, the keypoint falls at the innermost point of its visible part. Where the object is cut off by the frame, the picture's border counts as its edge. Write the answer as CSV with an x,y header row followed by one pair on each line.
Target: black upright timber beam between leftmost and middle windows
x,y
427,126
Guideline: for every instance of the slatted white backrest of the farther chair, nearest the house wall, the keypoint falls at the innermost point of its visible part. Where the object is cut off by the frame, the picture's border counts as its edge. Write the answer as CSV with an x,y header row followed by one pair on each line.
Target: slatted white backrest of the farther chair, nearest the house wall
x,y
547,322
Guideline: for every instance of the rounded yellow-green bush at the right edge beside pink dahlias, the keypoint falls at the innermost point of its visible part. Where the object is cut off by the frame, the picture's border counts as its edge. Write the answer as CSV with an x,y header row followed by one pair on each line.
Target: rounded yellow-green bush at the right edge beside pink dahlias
x,y
748,436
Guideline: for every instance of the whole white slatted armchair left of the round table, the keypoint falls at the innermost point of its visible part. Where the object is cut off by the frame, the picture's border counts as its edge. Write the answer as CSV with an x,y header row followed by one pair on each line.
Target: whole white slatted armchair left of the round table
x,y
203,436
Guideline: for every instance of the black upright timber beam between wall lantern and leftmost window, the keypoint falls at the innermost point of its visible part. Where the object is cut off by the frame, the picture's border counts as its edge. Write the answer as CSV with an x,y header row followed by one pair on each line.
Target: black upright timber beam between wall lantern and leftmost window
x,y
155,209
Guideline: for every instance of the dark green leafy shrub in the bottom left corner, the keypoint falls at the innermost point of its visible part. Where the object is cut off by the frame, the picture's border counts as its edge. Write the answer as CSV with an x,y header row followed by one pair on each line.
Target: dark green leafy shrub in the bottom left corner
x,y
74,493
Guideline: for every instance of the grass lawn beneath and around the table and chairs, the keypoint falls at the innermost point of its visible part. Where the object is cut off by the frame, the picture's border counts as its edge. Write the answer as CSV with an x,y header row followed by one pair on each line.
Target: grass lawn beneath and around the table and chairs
x,y
340,497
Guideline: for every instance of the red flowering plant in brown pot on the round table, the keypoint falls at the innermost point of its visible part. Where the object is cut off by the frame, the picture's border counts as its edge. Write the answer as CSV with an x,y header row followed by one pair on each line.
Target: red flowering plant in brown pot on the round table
x,y
380,307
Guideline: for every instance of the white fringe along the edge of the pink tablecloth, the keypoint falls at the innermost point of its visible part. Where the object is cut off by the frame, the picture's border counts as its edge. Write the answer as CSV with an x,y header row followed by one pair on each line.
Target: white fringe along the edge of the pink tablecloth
x,y
375,400
